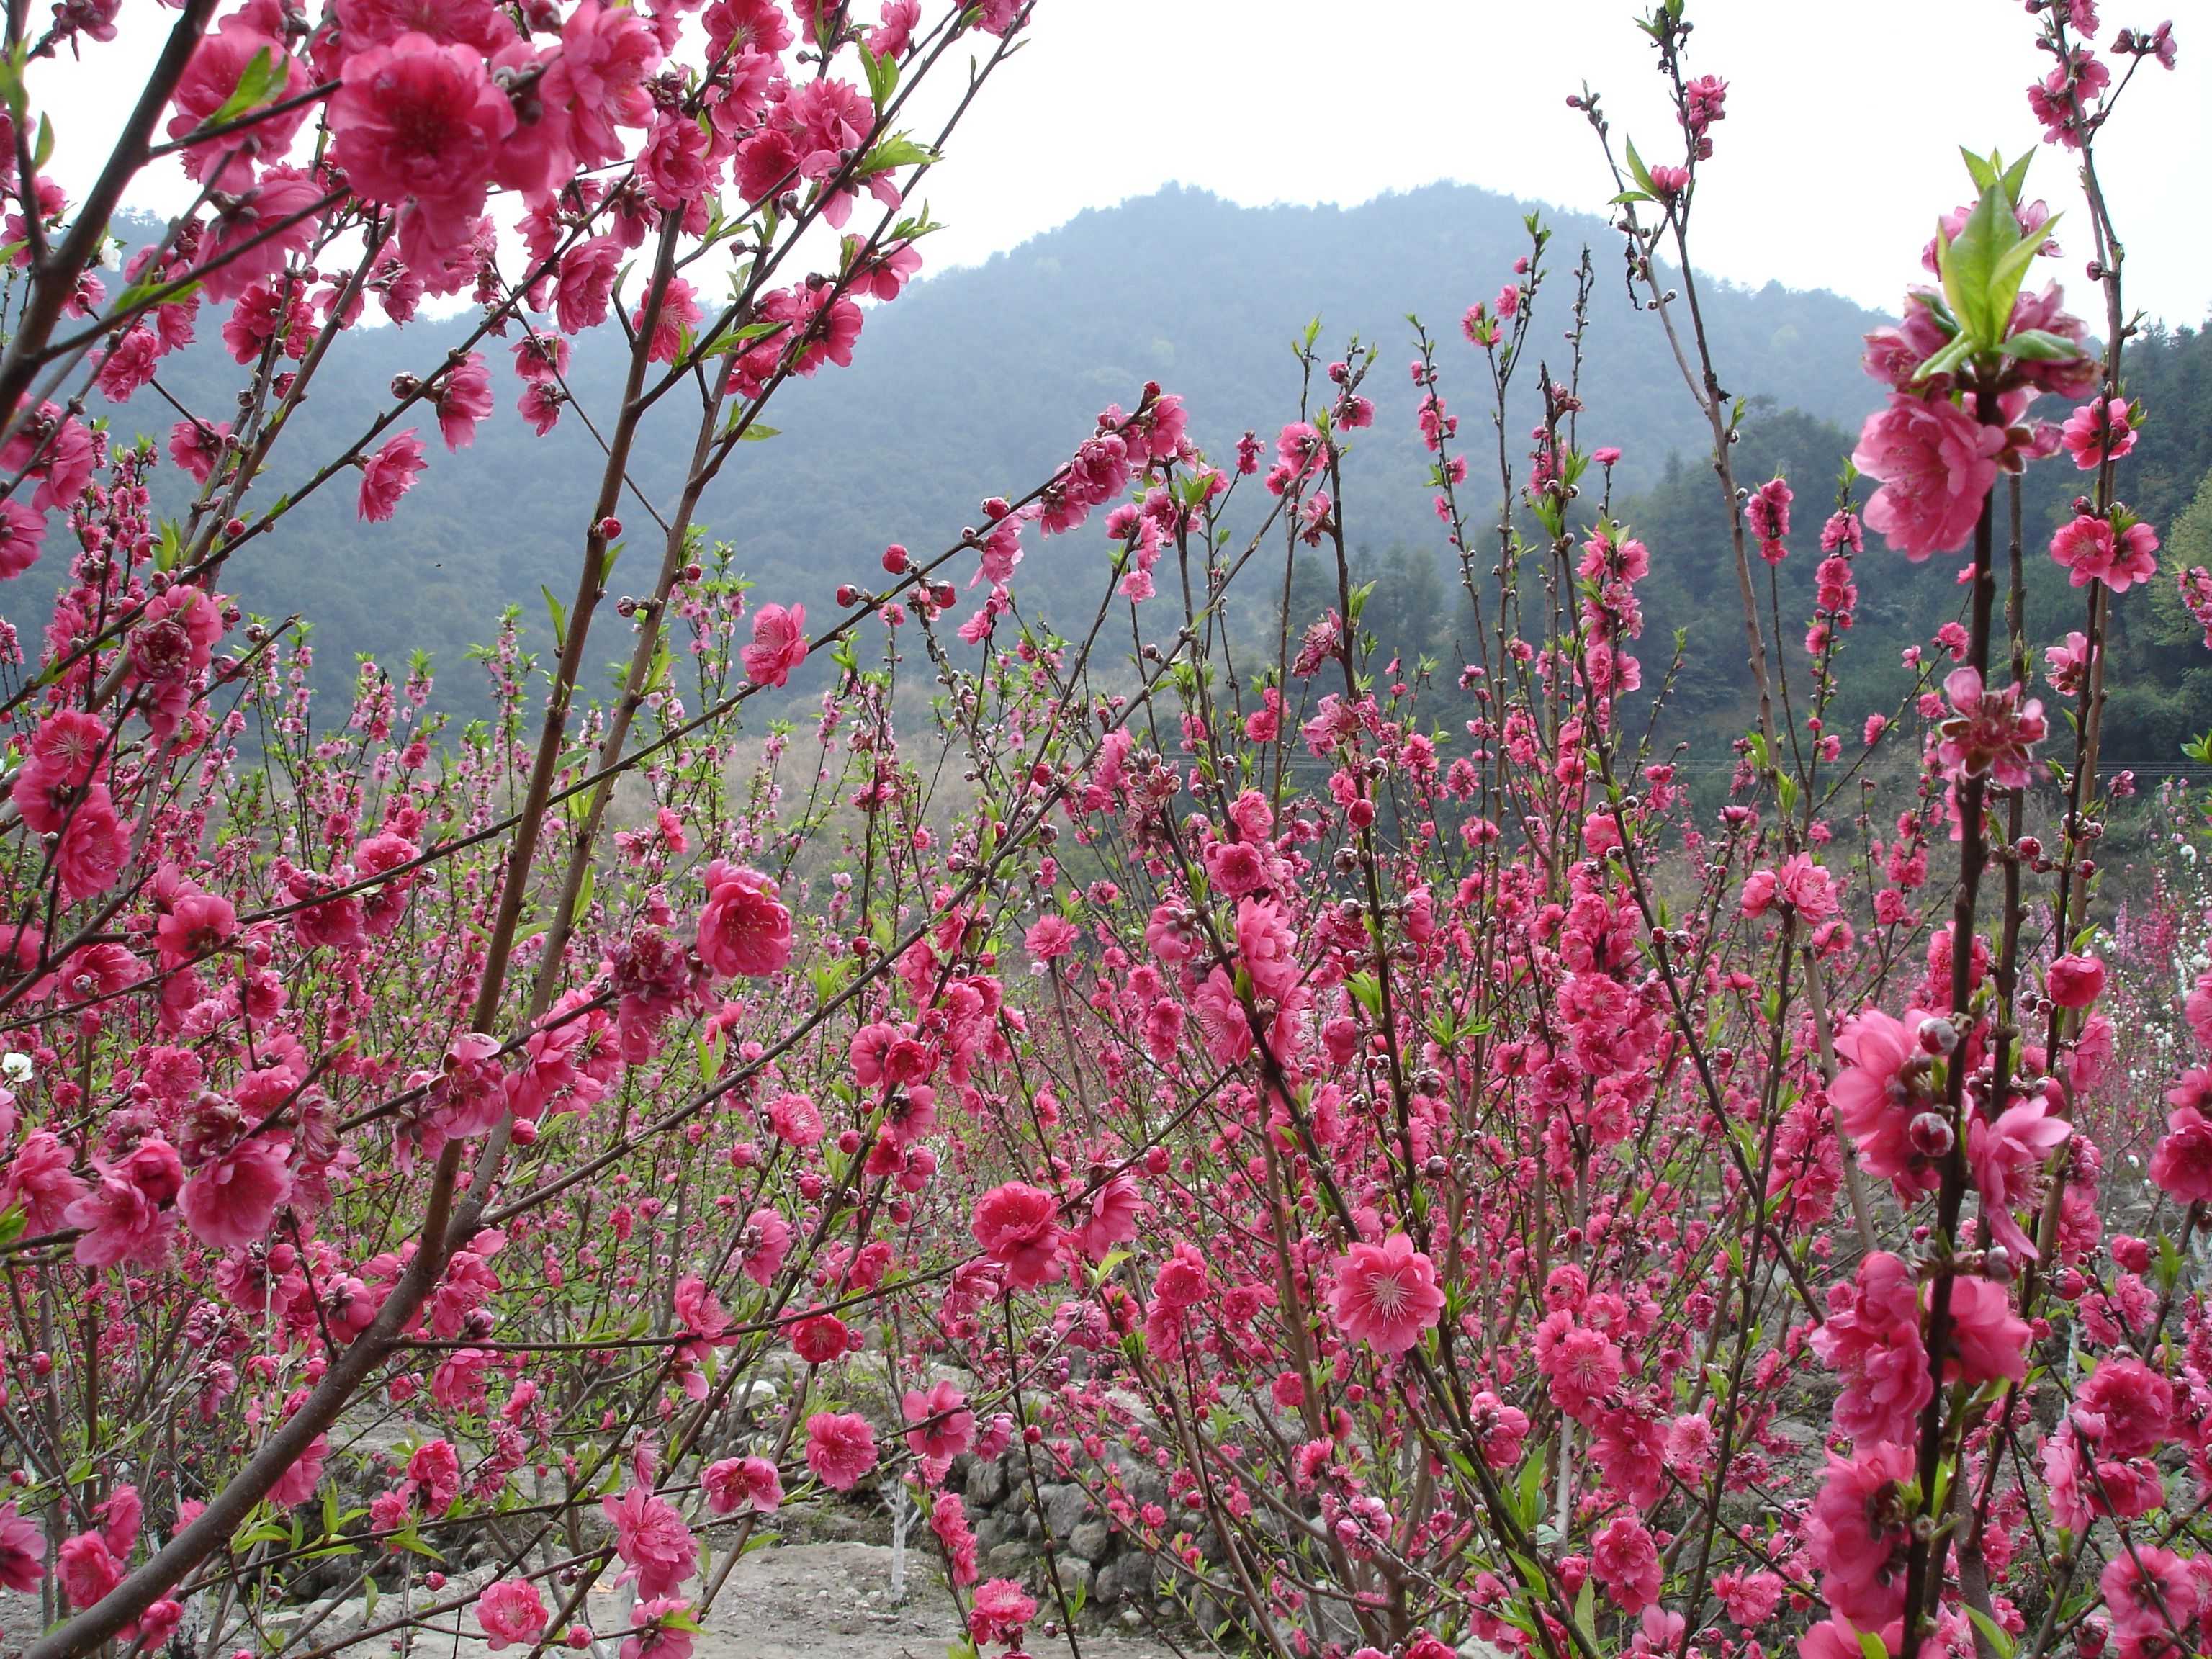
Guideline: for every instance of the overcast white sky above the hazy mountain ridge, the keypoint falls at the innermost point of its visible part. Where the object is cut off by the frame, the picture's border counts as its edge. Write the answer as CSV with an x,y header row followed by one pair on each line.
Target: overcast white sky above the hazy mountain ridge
x,y
1839,147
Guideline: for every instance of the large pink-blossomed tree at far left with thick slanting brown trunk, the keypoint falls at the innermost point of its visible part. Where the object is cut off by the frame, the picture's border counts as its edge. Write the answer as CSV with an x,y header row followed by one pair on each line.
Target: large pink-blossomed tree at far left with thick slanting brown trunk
x,y
371,935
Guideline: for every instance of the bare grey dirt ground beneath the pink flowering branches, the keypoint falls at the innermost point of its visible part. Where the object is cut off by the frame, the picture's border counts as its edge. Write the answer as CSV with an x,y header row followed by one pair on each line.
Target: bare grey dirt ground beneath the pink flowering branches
x,y
784,1603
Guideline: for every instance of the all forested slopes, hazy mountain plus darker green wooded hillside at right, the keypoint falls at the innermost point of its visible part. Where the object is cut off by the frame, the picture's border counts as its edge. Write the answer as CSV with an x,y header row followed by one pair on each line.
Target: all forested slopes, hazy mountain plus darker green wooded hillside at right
x,y
981,379
